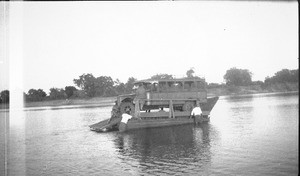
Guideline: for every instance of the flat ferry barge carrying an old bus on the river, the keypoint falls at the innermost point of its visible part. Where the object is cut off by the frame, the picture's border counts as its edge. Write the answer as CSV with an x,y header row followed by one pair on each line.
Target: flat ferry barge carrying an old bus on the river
x,y
159,103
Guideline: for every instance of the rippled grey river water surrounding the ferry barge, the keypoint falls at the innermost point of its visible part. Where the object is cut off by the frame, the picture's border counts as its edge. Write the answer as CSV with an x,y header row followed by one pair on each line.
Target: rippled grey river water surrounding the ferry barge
x,y
247,135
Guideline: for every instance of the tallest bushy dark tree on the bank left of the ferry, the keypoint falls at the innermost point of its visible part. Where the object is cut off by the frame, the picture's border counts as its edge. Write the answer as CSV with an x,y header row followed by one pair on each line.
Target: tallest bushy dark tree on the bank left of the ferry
x,y
87,83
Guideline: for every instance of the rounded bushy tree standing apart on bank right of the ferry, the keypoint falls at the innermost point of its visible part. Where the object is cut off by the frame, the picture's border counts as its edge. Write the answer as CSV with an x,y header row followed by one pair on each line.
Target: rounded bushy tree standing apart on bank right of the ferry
x,y
238,77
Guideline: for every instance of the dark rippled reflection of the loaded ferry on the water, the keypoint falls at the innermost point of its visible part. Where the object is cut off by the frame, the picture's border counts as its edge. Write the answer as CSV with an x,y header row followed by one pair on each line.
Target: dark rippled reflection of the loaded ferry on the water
x,y
171,150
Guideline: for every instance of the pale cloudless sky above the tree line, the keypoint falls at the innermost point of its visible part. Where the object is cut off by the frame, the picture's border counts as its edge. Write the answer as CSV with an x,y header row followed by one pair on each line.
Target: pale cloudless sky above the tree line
x,y
48,44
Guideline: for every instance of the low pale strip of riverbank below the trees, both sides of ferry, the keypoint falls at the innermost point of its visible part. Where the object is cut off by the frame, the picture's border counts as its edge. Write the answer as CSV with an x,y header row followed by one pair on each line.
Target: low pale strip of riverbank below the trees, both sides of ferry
x,y
220,90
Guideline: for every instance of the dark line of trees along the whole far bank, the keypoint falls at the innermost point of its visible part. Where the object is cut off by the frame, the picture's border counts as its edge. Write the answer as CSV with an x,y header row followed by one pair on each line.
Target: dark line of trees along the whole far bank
x,y
104,86
